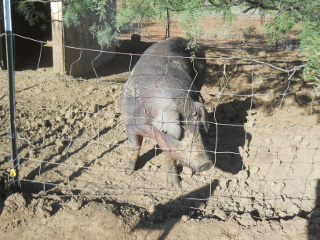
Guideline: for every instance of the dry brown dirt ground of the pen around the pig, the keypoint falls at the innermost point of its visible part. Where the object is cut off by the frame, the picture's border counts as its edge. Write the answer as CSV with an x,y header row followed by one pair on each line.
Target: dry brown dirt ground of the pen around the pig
x,y
264,140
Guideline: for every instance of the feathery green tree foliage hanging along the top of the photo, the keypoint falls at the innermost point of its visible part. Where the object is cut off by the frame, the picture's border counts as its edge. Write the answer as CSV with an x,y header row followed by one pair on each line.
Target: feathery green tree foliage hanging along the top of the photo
x,y
285,14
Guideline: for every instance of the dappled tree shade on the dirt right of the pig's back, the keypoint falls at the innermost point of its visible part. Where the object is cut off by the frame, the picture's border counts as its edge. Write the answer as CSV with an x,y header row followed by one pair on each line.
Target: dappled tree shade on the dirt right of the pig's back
x,y
271,87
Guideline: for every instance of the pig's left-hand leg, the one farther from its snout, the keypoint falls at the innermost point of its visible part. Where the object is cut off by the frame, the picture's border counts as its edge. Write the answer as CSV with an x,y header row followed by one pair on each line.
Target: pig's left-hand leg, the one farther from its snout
x,y
135,142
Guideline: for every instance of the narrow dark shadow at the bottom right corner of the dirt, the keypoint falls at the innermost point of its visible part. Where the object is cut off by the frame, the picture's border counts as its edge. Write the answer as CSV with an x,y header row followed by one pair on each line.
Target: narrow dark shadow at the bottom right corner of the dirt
x,y
314,220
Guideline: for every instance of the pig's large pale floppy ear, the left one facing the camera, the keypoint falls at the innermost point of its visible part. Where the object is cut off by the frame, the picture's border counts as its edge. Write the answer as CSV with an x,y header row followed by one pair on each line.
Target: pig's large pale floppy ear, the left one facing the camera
x,y
168,122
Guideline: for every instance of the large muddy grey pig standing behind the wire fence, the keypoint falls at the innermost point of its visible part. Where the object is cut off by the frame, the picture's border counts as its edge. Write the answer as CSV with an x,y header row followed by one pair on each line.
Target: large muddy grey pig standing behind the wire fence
x,y
161,100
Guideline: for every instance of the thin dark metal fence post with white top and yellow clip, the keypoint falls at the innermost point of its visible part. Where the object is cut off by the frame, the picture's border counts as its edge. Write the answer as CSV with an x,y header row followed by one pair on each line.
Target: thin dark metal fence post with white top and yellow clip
x,y
10,68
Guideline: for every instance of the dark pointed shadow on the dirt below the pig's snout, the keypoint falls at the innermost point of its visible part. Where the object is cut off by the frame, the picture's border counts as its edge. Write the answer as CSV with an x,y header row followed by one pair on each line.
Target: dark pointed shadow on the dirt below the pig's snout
x,y
185,205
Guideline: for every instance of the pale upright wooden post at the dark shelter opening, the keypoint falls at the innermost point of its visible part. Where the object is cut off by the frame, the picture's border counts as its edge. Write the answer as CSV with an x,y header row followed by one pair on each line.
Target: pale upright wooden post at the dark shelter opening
x,y
57,38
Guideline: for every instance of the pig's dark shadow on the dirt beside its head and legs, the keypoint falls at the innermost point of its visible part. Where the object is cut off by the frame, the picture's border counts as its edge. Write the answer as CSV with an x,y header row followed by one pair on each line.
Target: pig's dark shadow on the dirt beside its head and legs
x,y
230,135
